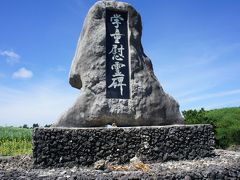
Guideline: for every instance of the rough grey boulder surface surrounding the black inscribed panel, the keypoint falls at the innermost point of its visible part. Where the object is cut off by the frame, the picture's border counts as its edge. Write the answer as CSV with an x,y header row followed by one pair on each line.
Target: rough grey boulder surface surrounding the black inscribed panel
x,y
148,105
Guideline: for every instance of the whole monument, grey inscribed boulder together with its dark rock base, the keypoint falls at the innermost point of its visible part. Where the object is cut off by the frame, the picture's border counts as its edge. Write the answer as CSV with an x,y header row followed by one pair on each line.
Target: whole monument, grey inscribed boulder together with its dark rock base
x,y
118,86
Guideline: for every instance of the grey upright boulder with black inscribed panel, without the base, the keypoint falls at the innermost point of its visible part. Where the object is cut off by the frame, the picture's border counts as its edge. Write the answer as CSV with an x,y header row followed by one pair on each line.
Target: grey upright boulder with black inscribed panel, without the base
x,y
114,75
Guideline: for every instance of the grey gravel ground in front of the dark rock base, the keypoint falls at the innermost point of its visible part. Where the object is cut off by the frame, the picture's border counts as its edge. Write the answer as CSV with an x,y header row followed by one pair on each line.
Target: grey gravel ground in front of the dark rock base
x,y
226,165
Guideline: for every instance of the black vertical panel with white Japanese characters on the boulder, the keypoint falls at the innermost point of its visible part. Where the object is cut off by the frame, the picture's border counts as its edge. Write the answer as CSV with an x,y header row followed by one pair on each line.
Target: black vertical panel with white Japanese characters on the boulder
x,y
117,59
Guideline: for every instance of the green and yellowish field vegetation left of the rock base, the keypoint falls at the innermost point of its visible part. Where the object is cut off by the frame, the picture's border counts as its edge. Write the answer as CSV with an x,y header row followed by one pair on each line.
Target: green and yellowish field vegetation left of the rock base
x,y
15,141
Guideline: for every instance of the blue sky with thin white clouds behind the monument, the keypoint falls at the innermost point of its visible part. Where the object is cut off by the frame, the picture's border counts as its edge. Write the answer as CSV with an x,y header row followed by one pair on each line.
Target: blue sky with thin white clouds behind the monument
x,y
194,47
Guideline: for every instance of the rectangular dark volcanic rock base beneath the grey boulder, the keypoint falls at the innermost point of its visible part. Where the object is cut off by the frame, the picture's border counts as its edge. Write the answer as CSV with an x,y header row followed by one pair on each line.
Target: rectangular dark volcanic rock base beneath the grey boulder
x,y
84,146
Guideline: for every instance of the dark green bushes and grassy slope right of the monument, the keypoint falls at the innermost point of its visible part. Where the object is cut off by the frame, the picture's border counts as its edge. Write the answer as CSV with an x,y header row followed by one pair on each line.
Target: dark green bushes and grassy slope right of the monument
x,y
226,123
